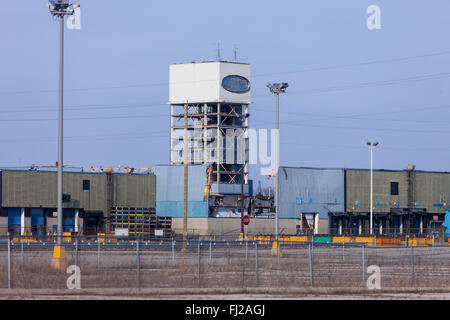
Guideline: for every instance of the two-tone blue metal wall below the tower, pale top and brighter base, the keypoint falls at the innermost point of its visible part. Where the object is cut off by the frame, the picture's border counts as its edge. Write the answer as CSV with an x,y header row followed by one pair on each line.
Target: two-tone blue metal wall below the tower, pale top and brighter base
x,y
170,190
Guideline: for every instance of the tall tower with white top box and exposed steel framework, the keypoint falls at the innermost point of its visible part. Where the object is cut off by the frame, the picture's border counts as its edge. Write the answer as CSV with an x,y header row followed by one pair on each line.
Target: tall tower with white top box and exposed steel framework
x,y
217,96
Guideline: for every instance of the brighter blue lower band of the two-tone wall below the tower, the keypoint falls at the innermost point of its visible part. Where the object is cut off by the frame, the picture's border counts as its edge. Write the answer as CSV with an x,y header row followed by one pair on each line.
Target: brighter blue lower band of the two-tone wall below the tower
x,y
196,209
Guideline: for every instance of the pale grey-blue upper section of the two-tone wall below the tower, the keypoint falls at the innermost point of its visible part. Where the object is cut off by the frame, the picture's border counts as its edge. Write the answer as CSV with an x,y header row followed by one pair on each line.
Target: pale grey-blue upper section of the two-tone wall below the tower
x,y
170,182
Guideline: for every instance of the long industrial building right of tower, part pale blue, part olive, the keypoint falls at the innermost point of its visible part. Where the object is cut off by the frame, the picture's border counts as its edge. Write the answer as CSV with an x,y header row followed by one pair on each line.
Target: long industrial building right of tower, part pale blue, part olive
x,y
337,201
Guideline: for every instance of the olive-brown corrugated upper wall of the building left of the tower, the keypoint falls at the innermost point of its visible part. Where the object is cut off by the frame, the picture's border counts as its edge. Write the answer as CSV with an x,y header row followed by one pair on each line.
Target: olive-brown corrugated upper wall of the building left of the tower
x,y
38,189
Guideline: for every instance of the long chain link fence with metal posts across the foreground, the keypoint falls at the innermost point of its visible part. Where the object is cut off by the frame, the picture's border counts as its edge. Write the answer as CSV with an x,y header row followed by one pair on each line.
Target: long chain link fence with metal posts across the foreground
x,y
172,263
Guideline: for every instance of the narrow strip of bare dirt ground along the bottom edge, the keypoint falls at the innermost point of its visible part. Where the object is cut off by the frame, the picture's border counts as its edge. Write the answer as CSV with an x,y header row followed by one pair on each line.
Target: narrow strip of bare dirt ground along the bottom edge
x,y
228,294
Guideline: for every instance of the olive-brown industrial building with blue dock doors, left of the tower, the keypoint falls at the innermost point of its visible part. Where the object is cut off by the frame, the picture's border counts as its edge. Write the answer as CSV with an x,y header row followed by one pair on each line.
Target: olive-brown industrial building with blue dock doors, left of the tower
x,y
28,200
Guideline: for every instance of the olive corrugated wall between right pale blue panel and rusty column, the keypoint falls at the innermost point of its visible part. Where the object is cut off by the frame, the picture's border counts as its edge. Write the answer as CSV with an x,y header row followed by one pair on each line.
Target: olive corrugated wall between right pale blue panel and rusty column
x,y
358,190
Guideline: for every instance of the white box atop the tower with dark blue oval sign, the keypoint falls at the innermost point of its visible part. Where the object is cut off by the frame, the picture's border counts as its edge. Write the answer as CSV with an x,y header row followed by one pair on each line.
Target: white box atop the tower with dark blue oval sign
x,y
215,81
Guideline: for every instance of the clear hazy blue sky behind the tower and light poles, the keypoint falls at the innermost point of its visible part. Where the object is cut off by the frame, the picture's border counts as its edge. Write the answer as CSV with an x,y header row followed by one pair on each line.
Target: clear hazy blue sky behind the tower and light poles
x,y
347,84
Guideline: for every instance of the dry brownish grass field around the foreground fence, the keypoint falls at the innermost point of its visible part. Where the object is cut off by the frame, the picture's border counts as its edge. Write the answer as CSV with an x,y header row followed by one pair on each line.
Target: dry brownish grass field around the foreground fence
x,y
230,271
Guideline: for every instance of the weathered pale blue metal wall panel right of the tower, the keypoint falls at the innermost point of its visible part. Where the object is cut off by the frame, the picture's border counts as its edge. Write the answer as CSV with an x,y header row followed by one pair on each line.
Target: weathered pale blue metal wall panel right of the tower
x,y
310,190
